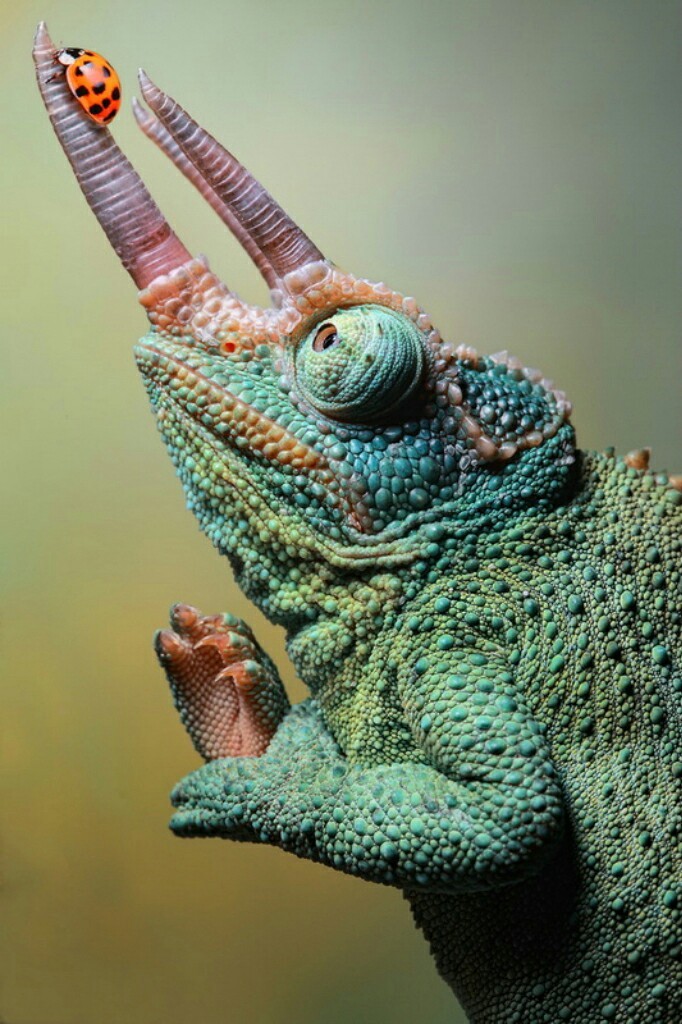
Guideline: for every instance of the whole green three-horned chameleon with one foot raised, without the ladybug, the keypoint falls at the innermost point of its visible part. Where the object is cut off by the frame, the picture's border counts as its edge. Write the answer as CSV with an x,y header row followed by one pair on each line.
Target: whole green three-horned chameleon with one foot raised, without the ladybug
x,y
488,619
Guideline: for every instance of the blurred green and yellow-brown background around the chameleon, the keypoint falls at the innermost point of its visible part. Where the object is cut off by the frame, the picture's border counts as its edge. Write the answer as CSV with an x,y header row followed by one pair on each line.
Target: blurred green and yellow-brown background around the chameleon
x,y
516,166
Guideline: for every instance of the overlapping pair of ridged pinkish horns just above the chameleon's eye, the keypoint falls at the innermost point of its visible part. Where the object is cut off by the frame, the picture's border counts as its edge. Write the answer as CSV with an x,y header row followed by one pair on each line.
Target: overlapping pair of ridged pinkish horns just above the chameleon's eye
x,y
278,238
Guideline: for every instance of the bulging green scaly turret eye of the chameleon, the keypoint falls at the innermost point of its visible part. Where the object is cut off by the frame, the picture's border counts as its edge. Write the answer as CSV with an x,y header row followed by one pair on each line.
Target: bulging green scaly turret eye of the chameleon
x,y
361,365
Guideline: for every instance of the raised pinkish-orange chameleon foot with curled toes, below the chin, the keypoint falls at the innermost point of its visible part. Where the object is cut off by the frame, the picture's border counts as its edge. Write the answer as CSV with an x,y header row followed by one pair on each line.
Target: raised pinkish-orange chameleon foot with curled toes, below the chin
x,y
227,690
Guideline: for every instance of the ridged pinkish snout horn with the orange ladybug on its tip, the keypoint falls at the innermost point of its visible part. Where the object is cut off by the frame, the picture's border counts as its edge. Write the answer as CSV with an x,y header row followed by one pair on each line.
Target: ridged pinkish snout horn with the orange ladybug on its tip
x,y
142,238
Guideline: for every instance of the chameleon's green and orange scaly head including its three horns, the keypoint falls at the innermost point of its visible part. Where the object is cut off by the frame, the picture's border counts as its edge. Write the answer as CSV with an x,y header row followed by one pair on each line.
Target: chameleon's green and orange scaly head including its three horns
x,y
337,425
